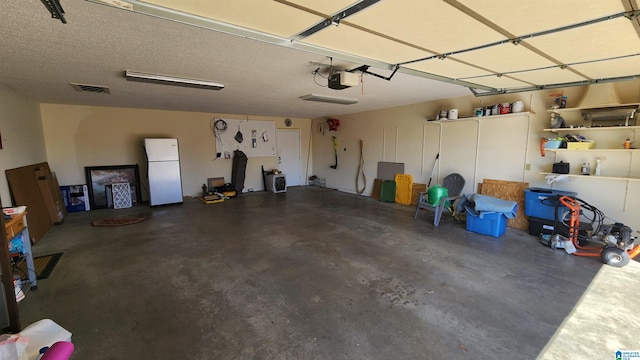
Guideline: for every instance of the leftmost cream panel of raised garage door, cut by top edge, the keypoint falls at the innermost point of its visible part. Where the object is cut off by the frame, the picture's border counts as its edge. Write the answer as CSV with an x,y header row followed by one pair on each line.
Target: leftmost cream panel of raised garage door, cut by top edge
x,y
270,17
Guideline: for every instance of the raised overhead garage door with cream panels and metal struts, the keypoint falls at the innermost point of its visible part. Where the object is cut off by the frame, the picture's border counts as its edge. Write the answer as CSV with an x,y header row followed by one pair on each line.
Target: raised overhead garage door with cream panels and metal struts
x,y
495,45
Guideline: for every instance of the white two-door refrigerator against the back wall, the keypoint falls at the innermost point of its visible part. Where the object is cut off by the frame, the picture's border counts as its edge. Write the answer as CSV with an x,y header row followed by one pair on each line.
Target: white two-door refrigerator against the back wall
x,y
163,171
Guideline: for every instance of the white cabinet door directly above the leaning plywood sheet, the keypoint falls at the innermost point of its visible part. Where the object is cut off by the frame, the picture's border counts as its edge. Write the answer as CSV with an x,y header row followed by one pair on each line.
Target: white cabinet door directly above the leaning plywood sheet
x,y
503,148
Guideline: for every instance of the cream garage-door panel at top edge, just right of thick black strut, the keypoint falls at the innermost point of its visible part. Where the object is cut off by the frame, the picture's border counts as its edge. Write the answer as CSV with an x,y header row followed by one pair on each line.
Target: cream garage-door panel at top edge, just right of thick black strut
x,y
430,24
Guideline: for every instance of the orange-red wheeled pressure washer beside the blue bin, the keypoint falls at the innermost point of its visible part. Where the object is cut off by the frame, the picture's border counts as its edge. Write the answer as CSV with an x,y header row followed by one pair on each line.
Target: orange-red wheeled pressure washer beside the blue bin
x,y
617,244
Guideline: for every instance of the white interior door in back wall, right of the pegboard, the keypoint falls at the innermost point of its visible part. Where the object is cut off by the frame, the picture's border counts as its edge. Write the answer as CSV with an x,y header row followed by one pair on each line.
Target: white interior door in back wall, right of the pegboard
x,y
289,156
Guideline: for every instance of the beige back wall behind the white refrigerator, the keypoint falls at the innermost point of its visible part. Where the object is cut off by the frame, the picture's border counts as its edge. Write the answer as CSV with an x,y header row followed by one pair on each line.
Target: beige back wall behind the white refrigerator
x,y
79,136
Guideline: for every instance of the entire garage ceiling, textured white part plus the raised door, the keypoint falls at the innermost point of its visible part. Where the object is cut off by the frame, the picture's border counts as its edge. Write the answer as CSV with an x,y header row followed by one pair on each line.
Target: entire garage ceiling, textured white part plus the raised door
x,y
267,52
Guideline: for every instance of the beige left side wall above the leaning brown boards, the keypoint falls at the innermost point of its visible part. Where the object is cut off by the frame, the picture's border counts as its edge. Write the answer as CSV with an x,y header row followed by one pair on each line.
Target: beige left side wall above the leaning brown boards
x,y
22,136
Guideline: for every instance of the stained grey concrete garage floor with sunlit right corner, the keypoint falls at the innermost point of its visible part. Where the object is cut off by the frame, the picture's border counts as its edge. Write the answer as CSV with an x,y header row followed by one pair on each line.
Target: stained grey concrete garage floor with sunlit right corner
x,y
316,274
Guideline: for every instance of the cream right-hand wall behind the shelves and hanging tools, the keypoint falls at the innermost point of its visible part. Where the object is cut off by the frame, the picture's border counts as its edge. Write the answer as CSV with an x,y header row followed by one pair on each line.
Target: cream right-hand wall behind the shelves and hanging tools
x,y
403,134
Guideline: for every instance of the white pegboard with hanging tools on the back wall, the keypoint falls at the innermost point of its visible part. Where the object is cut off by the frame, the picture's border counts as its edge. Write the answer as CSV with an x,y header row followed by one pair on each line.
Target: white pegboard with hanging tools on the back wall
x,y
253,137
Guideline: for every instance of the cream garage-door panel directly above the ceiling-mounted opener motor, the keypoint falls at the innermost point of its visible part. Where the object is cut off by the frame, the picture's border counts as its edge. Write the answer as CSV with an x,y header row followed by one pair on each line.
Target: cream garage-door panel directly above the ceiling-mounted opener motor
x,y
353,41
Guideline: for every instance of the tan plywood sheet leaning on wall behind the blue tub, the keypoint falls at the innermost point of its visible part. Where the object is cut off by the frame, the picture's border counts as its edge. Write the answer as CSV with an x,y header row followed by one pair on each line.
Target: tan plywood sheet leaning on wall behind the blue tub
x,y
508,190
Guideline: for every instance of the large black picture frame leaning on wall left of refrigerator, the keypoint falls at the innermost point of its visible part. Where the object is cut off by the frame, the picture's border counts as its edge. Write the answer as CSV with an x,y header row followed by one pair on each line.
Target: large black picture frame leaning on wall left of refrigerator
x,y
99,179
